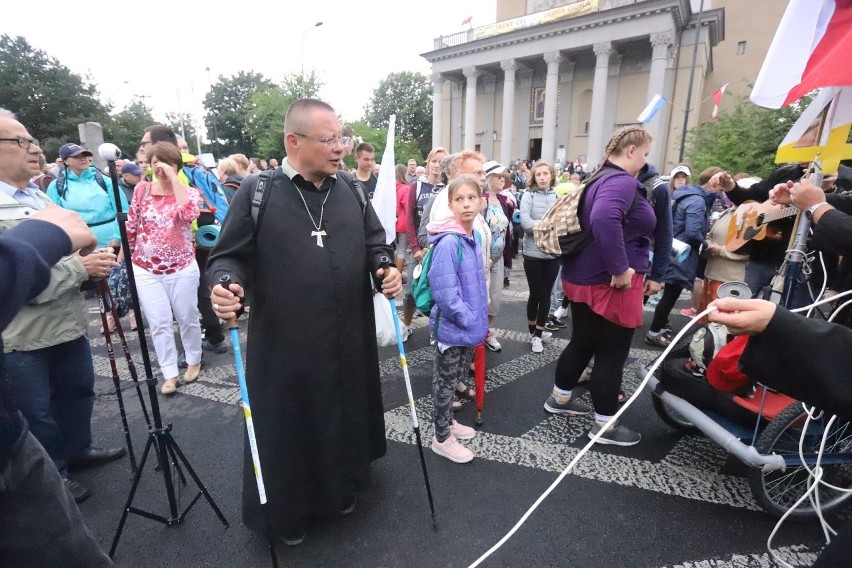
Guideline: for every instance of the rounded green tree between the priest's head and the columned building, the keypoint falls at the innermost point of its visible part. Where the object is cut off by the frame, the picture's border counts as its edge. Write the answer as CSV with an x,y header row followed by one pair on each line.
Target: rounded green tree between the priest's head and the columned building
x,y
409,96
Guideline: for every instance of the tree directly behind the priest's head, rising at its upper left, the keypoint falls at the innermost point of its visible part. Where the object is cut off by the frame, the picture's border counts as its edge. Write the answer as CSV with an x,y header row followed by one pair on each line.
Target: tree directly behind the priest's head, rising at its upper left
x,y
271,104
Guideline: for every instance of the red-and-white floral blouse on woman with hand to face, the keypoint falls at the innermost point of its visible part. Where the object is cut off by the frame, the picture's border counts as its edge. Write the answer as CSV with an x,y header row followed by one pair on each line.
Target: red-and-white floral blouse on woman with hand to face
x,y
160,231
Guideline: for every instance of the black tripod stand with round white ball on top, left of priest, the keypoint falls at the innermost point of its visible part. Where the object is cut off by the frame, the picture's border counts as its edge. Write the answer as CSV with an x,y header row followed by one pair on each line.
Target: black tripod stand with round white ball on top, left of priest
x,y
159,435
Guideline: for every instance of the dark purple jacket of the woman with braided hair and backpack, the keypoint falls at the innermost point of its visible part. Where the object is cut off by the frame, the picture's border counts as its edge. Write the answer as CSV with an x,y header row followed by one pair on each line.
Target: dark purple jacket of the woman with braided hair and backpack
x,y
621,231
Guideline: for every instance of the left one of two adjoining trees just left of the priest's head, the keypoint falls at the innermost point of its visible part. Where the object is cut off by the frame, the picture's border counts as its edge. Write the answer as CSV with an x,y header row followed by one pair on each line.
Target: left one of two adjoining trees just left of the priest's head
x,y
229,111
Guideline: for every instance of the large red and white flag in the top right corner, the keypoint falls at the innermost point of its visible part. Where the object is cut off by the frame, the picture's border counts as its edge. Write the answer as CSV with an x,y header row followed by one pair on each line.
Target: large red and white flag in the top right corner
x,y
810,50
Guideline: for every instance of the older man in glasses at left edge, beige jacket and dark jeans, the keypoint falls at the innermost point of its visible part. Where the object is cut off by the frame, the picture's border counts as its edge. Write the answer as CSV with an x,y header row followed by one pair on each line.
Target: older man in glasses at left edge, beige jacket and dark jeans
x,y
48,362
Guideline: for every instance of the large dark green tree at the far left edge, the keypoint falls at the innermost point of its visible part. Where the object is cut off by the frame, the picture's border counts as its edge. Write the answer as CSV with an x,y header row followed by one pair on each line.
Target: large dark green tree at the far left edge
x,y
45,95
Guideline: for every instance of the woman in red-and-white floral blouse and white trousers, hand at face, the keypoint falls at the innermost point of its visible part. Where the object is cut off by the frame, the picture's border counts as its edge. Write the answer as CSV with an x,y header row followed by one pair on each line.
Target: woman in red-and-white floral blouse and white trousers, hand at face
x,y
159,229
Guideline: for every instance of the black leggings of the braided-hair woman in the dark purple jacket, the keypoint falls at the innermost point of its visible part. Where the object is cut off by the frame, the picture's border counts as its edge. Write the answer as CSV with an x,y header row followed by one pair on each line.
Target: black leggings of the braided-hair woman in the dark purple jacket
x,y
592,335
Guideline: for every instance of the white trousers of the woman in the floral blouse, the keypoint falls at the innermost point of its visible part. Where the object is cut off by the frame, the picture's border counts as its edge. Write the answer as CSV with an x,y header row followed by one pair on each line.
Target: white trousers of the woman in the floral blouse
x,y
162,298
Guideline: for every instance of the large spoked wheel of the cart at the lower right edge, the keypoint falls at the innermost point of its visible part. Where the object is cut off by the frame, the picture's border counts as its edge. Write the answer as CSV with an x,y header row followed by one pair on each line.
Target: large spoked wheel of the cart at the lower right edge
x,y
777,491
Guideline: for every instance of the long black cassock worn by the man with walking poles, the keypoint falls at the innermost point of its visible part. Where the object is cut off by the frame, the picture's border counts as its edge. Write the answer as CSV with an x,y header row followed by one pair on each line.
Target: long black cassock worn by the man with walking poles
x,y
311,357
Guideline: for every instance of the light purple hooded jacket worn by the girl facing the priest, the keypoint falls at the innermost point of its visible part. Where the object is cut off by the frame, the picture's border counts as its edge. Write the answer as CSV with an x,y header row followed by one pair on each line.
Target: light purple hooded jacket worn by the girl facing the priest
x,y
458,288
